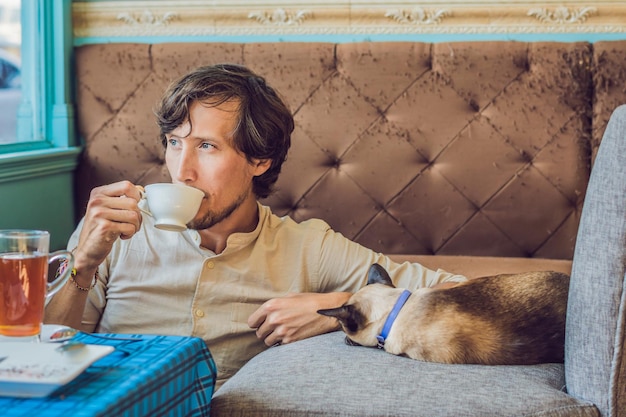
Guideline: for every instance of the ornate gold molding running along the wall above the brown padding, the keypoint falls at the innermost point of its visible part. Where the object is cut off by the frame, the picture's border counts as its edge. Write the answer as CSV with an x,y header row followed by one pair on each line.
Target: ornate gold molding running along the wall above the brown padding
x,y
365,17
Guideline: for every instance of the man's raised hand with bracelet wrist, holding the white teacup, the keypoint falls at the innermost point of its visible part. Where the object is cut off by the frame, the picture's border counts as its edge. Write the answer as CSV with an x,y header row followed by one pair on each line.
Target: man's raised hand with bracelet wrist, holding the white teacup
x,y
112,212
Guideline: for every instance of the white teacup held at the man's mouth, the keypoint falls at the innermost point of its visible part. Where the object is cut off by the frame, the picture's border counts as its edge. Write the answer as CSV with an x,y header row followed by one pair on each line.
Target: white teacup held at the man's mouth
x,y
172,205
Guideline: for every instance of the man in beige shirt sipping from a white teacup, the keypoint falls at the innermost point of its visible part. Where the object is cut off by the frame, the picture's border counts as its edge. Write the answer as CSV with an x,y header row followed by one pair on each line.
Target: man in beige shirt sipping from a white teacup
x,y
240,277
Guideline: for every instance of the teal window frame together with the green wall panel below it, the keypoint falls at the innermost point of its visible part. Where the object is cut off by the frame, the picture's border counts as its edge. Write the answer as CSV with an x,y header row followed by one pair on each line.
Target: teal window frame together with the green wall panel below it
x,y
37,171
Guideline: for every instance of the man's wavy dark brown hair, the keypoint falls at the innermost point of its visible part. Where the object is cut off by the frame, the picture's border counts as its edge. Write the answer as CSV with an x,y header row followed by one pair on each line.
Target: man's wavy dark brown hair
x,y
264,123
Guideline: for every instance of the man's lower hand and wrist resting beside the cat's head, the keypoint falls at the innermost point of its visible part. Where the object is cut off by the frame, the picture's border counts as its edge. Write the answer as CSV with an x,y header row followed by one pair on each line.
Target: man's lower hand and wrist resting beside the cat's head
x,y
294,317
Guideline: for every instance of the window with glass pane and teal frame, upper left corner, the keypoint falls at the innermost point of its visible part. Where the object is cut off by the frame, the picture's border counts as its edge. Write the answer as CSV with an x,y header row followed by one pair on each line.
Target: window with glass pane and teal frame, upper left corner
x,y
44,113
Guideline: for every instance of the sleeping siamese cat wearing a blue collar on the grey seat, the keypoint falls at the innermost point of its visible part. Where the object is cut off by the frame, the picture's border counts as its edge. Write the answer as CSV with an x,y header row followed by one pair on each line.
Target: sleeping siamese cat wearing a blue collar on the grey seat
x,y
509,319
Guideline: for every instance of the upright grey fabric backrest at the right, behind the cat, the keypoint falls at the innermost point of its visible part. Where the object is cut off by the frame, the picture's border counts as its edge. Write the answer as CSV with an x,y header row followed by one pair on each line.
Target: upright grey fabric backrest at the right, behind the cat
x,y
594,344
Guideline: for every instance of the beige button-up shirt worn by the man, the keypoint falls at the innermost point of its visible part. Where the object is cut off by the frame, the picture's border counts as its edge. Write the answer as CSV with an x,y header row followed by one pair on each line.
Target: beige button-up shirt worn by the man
x,y
162,282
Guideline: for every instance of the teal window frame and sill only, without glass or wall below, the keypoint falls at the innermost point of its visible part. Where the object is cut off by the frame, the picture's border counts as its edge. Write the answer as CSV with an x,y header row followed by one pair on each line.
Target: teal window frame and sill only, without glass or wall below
x,y
45,124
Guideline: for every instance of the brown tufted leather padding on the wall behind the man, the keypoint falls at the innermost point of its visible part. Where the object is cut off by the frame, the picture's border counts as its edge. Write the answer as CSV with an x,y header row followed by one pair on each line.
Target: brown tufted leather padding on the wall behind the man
x,y
478,148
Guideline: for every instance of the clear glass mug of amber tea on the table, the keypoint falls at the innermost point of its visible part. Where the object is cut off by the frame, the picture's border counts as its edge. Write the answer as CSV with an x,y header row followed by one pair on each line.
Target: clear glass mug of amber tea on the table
x,y
24,286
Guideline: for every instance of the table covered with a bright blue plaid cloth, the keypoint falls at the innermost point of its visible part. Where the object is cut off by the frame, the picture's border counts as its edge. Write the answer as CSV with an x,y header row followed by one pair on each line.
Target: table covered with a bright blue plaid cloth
x,y
146,375
